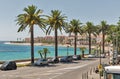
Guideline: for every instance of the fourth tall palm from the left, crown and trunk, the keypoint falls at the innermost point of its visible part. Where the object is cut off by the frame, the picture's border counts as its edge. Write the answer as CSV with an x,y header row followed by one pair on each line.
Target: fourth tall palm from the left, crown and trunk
x,y
89,28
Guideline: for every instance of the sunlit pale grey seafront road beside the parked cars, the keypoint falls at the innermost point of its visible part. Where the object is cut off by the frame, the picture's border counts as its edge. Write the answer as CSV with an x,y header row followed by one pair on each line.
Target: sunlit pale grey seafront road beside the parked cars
x,y
72,70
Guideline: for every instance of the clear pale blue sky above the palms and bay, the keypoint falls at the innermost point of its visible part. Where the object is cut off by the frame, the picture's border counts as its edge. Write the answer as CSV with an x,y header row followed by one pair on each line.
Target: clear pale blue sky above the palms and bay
x,y
85,10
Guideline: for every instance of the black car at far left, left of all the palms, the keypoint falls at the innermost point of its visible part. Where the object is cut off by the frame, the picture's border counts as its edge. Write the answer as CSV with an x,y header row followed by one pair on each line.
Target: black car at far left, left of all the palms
x,y
9,65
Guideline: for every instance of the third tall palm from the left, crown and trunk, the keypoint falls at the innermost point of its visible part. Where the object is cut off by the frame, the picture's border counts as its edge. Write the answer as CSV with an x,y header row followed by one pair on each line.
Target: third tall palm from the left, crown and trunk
x,y
74,27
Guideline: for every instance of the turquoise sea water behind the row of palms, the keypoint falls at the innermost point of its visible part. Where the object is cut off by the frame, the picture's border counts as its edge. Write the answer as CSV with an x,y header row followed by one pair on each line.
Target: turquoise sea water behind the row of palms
x,y
17,52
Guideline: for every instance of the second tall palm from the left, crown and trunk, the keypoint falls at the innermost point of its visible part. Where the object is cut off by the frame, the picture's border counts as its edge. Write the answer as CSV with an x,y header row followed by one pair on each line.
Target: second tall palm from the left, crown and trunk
x,y
55,21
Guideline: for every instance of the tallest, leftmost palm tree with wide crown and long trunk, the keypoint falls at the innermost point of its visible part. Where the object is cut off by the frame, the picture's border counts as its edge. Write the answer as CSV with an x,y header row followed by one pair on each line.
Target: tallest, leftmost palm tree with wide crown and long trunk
x,y
31,17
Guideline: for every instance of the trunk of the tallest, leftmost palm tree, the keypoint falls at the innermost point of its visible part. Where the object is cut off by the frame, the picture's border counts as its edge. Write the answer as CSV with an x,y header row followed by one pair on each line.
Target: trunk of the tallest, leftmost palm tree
x,y
32,45
